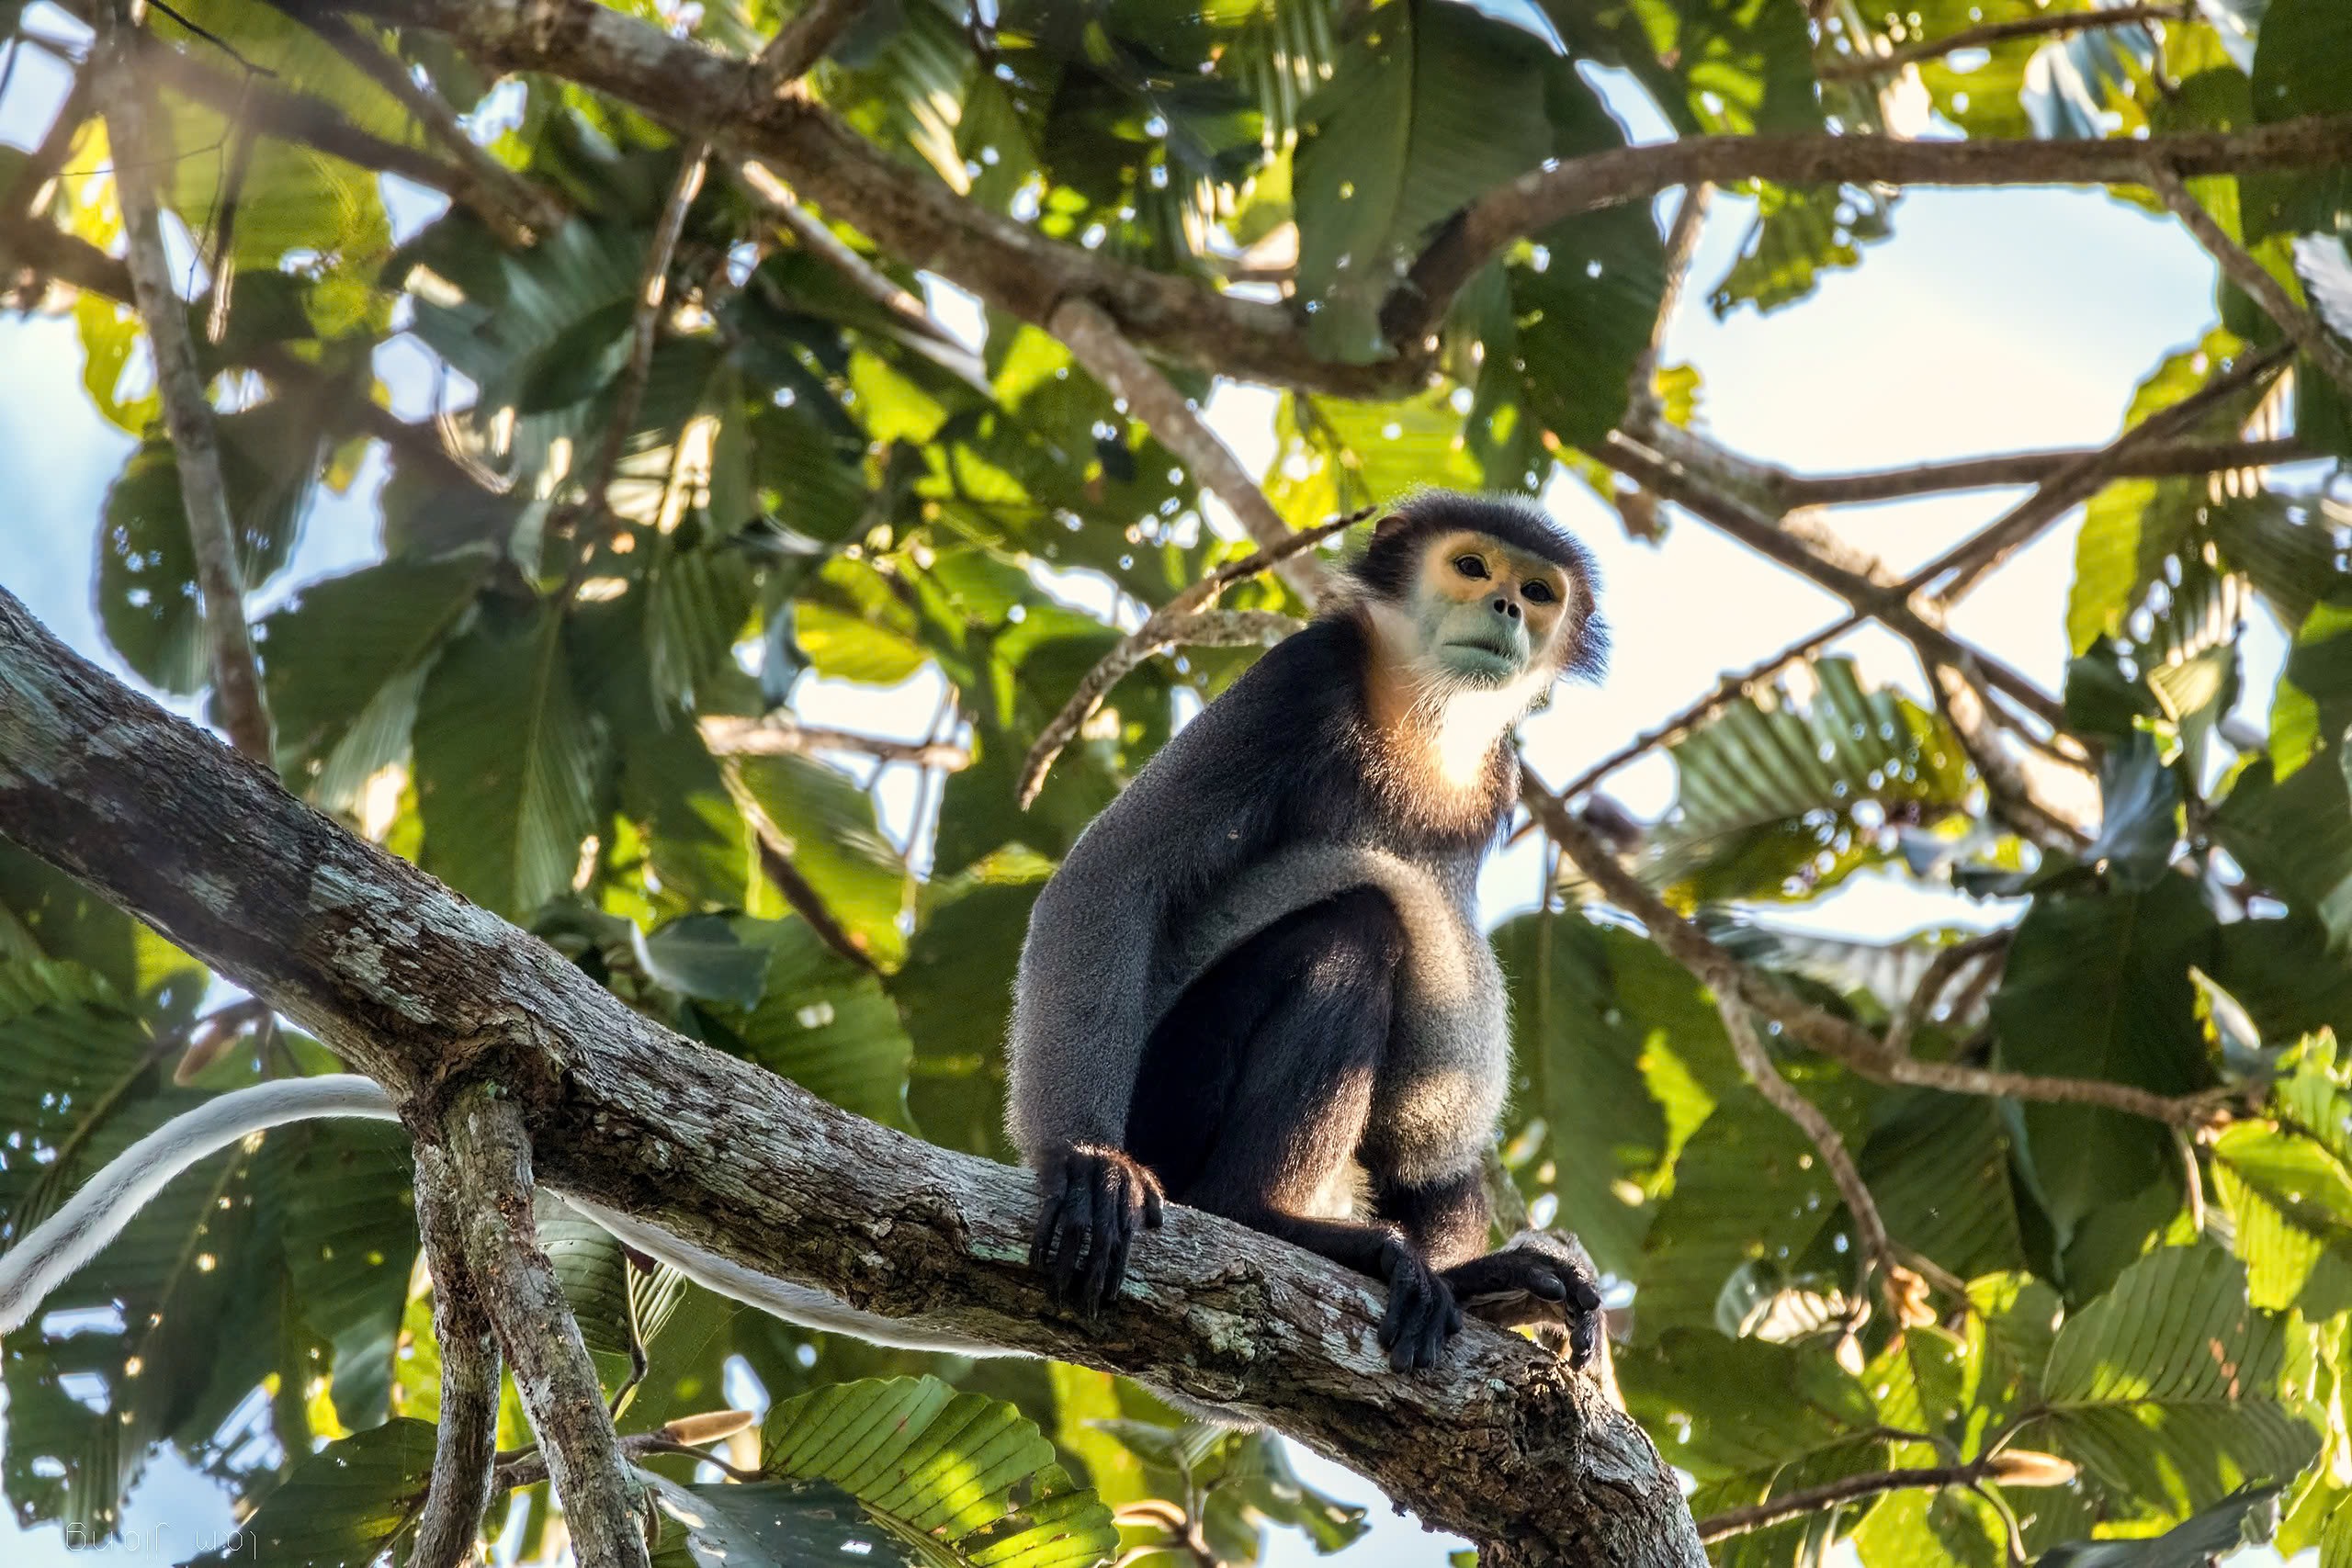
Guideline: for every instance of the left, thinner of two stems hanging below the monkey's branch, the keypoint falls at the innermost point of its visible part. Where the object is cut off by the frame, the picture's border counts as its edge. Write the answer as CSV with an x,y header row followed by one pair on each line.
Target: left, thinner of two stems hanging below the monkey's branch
x,y
467,1438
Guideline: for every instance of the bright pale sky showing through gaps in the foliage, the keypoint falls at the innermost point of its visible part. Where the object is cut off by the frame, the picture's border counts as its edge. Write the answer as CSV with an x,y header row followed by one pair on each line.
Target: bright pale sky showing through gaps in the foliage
x,y
1989,323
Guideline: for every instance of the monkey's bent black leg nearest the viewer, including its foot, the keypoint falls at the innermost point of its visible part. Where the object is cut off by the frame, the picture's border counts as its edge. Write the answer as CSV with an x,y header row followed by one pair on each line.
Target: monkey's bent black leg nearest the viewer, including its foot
x,y
1257,1090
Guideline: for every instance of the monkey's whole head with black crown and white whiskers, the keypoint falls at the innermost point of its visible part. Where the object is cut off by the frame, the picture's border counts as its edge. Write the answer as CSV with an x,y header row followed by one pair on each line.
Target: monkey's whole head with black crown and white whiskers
x,y
1481,594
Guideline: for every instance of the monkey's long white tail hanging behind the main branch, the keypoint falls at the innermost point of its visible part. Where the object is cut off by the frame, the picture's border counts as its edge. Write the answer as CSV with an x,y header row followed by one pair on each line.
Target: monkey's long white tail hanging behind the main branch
x,y
98,1214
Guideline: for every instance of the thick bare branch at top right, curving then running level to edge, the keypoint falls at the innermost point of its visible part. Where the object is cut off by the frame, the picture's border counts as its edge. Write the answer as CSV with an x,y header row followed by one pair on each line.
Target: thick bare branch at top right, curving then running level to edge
x,y
1631,175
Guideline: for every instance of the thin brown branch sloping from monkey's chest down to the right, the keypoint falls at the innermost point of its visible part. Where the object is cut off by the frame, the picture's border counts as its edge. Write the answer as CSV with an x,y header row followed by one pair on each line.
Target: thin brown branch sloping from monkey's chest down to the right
x,y
1812,1026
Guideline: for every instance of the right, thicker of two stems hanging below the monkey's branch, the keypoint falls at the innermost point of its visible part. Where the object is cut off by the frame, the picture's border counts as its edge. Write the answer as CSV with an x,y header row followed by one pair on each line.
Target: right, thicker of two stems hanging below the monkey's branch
x,y
483,1160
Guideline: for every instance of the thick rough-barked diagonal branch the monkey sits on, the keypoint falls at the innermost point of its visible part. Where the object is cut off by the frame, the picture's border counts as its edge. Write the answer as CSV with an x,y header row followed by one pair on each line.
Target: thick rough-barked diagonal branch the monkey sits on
x,y
432,996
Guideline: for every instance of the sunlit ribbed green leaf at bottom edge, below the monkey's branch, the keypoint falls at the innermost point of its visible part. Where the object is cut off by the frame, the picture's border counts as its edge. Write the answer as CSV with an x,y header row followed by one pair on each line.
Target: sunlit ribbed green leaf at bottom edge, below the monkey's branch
x,y
944,1470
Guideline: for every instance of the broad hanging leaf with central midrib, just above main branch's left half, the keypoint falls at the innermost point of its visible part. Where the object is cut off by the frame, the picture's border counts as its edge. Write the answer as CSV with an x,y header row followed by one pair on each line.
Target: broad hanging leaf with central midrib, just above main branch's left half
x,y
509,765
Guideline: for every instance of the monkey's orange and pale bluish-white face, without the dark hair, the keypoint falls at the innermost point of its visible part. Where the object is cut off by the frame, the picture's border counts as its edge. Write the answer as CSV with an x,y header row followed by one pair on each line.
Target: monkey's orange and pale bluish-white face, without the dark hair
x,y
1485,612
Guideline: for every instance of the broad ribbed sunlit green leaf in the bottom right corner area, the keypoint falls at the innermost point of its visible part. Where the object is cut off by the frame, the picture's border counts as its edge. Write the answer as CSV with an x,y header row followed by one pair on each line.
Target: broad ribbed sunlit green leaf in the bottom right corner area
x,y
2167,1388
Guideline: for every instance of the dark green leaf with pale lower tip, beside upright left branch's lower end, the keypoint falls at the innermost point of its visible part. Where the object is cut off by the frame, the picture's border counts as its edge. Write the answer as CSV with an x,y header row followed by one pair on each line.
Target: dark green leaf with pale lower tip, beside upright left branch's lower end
x,y
347,662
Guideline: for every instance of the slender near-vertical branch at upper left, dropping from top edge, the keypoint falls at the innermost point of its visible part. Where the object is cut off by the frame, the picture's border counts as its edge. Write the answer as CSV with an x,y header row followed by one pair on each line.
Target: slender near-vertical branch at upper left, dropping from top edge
x,y
180,382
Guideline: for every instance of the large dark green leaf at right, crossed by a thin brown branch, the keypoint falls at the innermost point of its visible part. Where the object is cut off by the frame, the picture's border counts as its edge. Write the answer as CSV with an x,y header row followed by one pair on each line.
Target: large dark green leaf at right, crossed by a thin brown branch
x,y
2099,986
